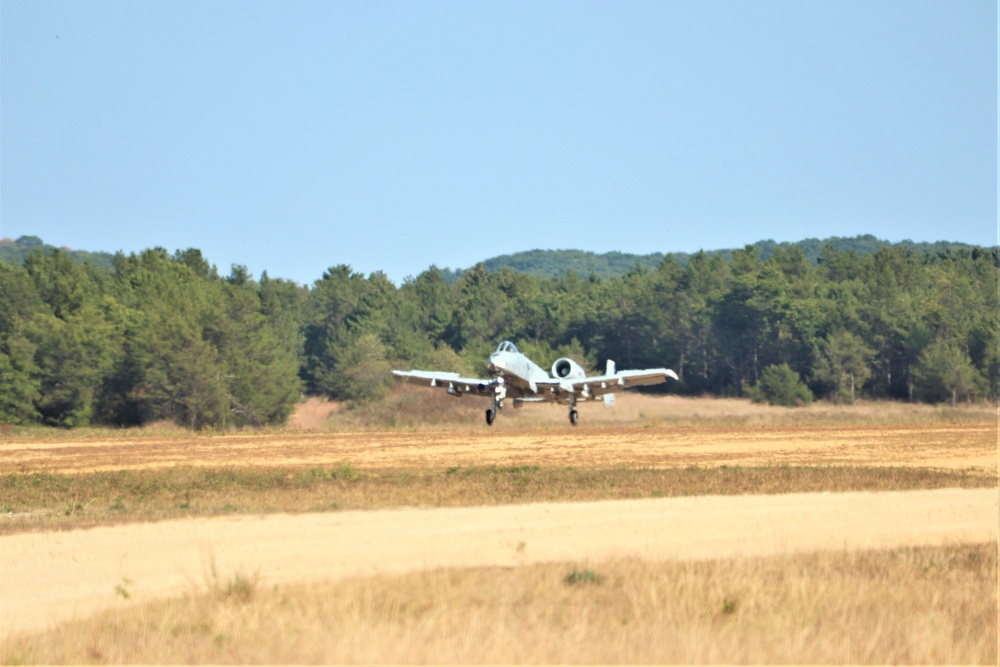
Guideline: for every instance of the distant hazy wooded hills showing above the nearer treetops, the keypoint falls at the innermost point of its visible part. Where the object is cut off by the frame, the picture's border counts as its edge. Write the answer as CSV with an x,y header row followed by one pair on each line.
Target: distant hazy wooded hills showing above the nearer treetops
x,y
553,263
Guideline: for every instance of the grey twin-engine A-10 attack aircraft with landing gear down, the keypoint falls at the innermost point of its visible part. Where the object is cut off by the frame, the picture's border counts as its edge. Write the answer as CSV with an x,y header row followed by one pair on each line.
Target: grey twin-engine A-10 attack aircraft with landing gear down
x,y
523,381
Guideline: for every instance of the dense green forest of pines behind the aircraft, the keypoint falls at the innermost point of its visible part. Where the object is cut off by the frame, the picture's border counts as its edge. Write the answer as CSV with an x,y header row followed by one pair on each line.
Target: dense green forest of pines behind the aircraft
x,y
160,336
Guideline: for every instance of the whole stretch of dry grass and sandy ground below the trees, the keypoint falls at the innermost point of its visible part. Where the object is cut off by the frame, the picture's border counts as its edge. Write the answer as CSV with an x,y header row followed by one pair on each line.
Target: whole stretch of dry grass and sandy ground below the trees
x,y
666,530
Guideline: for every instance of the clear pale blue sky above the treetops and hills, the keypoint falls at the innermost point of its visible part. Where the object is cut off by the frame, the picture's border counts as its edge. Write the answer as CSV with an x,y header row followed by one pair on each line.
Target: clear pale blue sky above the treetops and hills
x,y
294,136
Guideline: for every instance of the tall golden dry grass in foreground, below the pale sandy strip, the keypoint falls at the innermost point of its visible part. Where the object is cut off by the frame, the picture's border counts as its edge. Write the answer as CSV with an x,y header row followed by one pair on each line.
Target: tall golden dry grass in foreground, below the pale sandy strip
x,y
928,605
